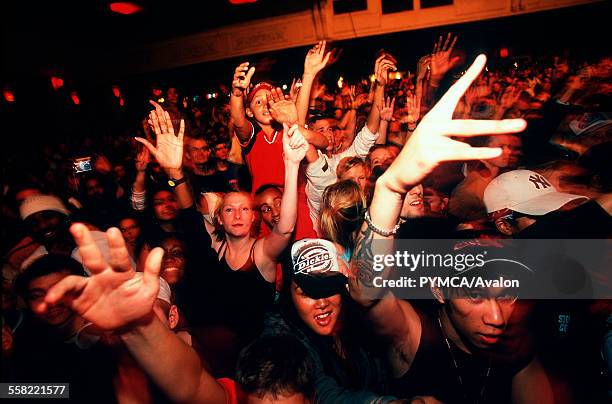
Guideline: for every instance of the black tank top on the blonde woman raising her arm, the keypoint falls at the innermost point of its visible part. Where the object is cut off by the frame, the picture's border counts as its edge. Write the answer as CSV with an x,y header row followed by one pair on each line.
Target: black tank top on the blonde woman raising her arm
x,y
242,296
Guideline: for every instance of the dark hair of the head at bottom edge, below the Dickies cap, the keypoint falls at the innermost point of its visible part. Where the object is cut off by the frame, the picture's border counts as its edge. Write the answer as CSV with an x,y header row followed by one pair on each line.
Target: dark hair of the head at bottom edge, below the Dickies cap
x,y
276,365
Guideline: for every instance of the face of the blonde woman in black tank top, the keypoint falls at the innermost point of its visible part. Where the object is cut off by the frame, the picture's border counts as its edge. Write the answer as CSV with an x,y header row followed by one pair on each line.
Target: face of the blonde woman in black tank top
x,y
236,215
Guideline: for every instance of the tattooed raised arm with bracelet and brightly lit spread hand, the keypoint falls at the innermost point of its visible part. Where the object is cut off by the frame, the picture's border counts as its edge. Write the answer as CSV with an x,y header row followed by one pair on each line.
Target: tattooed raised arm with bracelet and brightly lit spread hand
x,y
430,145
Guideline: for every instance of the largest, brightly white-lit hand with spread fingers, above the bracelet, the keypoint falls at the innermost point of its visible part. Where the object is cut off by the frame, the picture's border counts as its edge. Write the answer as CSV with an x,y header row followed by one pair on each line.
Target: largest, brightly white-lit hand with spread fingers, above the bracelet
x,y
431,142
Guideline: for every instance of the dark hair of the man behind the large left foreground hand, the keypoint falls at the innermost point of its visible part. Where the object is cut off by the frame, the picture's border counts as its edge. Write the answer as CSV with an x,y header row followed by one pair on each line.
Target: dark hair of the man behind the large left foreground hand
x,y
46,265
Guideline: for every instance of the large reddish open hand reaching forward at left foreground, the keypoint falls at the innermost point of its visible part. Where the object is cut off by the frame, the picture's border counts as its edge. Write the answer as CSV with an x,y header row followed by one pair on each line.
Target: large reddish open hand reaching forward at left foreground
x,y
113,296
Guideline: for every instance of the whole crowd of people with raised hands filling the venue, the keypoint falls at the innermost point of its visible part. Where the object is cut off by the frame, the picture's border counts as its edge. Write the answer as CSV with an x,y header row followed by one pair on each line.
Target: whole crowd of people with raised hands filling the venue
x,y
224,255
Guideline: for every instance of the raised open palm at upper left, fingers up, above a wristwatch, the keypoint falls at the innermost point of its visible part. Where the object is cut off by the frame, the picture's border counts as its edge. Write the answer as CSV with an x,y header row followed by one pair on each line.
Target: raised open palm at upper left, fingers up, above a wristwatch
x,y
169,150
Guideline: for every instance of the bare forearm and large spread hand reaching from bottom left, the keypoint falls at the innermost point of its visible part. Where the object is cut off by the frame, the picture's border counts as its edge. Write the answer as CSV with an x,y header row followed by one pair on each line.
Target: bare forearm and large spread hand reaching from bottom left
x,y
115,298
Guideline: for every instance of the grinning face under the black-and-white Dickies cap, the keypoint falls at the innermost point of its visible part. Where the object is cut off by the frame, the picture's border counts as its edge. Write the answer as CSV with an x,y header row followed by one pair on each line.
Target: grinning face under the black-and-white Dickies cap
x,y
320,315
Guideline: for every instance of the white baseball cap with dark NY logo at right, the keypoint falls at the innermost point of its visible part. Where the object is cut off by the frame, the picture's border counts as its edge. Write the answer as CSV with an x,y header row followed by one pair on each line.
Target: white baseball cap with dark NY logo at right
x,y
526,192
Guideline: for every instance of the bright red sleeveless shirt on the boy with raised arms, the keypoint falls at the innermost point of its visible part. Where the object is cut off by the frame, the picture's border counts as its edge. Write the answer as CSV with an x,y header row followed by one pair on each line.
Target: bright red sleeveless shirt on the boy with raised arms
x,y
264,158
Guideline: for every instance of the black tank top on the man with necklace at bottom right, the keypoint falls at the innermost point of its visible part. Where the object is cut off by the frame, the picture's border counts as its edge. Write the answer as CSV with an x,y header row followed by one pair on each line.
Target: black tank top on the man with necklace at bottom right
x,y
433,373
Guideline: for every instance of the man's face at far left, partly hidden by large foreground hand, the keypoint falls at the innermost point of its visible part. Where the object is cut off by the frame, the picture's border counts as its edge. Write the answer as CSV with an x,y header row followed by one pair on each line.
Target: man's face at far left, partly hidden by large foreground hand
x,y
56,316
